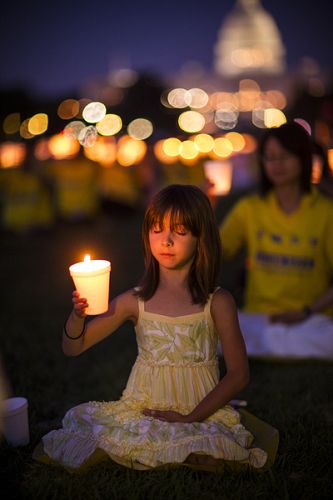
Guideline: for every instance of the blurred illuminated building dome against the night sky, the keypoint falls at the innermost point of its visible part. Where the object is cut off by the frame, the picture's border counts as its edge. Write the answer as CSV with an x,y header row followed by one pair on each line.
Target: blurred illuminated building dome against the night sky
x,y
249,42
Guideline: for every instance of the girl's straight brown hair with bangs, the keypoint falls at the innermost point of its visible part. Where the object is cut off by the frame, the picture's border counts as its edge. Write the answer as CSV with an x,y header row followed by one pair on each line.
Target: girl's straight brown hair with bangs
x,y
190,207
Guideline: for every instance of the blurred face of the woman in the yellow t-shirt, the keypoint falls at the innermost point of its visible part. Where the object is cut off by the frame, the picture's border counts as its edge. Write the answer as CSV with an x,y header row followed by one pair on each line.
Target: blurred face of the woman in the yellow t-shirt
x,y
281,166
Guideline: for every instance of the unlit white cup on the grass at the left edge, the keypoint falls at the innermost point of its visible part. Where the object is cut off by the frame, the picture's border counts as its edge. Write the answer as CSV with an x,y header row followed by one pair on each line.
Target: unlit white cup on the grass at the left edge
x,y
16,421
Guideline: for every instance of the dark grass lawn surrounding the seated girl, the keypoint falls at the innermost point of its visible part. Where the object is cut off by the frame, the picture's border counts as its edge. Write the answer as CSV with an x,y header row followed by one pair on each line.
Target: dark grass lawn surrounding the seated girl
x,y
296,398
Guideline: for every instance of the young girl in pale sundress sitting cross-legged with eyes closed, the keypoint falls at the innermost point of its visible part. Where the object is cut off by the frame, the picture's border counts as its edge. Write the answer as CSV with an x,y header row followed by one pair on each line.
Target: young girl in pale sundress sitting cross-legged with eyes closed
x,y
174,408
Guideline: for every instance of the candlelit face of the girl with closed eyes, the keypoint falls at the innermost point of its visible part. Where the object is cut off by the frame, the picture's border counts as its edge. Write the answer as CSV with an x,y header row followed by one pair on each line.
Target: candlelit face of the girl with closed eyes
x,y
172,248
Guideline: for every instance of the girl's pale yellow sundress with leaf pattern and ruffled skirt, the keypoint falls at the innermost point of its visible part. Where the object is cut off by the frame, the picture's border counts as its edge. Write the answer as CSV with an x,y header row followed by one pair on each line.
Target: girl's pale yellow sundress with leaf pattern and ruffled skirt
x,y
175,368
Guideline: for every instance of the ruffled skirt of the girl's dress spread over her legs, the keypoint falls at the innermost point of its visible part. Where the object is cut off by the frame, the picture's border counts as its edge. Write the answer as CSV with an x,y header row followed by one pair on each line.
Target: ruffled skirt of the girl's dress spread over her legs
x,y
128,437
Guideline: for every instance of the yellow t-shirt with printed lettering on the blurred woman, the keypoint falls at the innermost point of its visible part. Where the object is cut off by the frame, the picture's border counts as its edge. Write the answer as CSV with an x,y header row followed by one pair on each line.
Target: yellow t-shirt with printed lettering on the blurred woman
x,y
289,256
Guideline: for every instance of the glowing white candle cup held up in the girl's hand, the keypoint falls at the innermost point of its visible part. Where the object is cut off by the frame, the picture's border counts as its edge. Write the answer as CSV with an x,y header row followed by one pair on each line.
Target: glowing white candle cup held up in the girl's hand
x,y
92,280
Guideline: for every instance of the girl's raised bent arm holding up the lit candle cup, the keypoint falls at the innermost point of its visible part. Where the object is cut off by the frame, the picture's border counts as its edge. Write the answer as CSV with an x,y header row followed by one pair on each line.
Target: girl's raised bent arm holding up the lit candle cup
x,y
122,308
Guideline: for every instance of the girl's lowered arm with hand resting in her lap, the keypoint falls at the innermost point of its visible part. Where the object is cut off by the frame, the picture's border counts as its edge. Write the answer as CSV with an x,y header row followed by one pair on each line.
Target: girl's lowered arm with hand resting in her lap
x,y
224,313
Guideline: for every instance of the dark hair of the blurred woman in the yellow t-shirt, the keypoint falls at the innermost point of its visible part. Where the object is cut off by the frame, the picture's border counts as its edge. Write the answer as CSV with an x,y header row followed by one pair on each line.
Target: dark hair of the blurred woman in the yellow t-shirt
x,y
295,139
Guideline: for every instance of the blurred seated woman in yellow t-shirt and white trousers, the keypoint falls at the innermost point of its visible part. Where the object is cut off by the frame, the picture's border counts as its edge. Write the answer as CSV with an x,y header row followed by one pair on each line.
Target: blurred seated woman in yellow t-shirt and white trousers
x,y
286,230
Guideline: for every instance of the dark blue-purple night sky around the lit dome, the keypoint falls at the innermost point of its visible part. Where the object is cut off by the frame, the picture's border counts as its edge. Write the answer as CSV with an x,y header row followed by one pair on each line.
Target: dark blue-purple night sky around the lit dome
x,y
53,47
